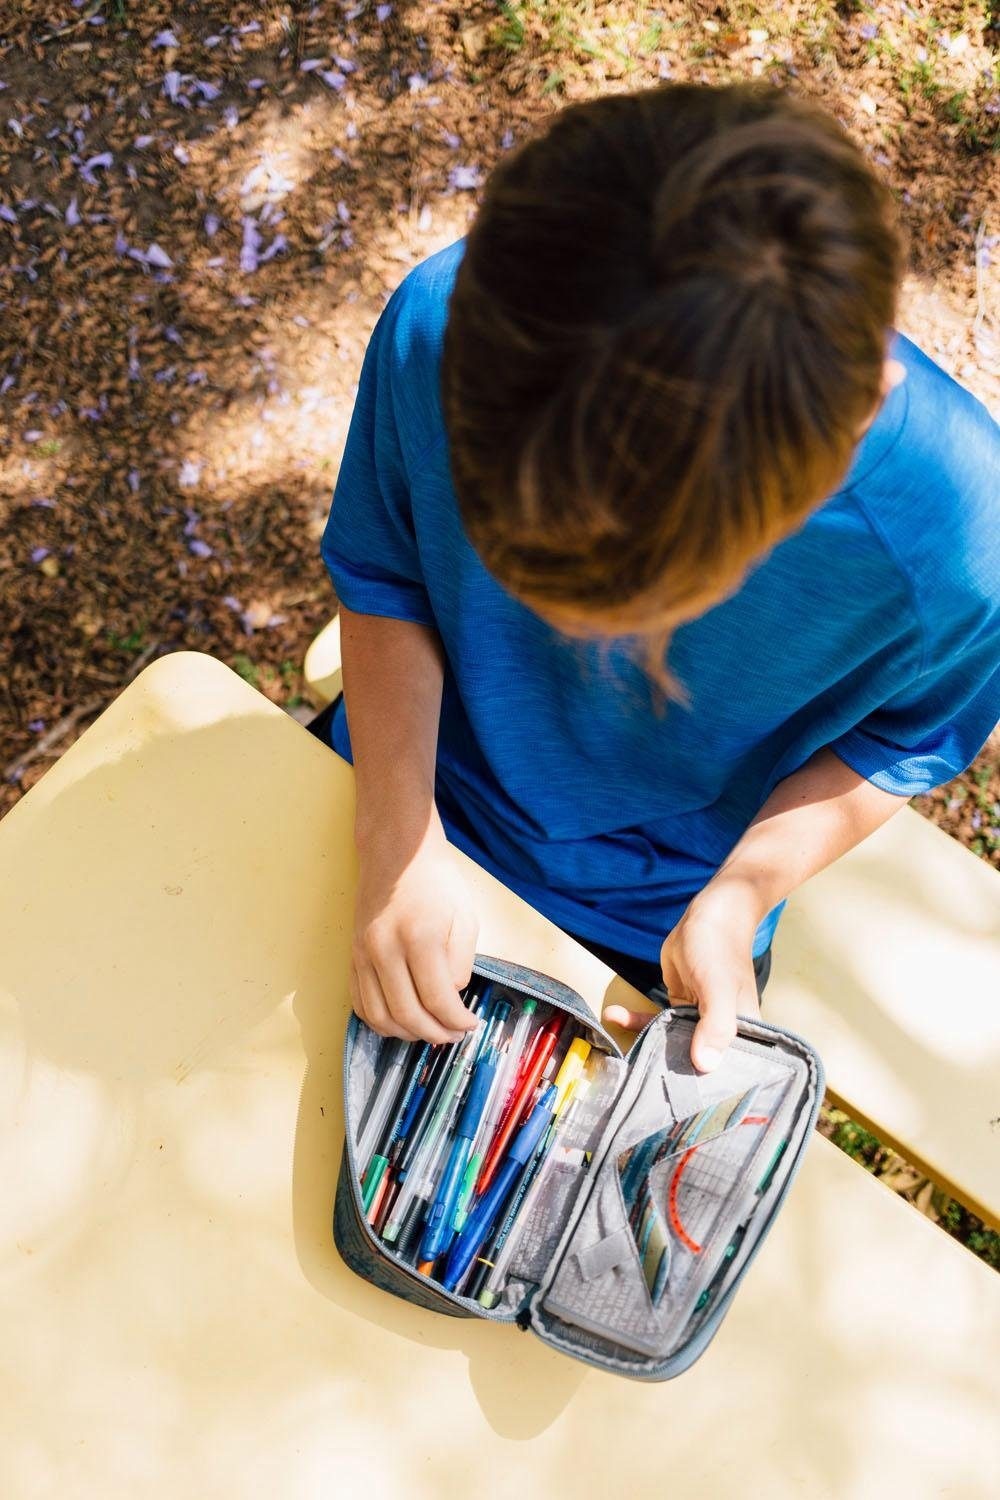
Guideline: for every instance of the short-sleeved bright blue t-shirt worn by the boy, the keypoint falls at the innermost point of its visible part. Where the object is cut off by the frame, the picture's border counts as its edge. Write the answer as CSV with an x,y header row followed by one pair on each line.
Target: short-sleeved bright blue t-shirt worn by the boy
x,y
875,629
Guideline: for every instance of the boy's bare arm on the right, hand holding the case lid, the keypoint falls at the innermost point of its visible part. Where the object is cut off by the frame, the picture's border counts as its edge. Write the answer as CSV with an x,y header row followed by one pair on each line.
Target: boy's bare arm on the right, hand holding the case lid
x,y
810,820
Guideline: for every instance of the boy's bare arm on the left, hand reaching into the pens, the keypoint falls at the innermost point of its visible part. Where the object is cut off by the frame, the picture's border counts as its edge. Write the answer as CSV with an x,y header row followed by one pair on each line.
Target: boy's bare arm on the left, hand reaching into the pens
x,y
415,929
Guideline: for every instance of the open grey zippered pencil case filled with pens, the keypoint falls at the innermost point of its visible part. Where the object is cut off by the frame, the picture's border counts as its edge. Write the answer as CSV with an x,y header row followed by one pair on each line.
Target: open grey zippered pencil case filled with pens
x,y
638,1222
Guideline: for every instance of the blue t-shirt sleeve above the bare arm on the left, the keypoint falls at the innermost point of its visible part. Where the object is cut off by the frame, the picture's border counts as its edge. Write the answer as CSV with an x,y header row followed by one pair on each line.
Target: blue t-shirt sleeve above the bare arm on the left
x,y
370,544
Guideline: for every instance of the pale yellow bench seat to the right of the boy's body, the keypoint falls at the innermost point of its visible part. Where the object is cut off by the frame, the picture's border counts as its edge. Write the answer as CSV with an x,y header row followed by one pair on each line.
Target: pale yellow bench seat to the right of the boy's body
x,y
890,964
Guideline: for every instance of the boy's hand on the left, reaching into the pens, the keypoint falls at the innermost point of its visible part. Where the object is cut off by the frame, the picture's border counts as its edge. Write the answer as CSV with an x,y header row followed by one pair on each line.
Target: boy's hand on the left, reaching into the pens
x,y
415,938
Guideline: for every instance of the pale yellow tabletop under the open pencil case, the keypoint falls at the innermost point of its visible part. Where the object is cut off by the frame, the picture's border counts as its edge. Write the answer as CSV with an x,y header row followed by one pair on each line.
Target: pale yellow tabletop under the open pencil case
x,y
176,901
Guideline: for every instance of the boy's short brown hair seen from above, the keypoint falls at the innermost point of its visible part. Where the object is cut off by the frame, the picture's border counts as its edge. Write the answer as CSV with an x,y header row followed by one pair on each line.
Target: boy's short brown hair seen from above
x,y
668,329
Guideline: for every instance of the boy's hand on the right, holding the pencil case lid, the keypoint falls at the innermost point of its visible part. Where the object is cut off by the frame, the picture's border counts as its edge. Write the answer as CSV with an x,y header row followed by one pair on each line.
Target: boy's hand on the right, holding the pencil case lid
x,y
707,962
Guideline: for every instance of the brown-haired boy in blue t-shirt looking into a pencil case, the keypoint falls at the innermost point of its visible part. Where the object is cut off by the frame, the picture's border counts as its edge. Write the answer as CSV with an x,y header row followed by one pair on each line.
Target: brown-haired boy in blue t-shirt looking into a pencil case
x,y
668,571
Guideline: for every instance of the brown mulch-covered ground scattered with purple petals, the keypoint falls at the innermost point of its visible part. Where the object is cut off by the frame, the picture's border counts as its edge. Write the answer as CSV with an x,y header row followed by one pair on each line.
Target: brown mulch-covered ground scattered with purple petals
x,y
203,208
